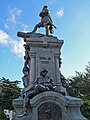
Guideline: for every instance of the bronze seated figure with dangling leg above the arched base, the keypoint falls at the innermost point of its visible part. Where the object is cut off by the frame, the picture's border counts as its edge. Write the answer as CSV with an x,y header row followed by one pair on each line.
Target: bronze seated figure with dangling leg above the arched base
x,y
42,83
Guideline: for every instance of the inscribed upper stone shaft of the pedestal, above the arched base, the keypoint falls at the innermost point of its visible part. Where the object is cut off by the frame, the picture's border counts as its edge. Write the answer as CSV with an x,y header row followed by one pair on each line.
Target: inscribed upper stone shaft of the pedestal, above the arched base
x,y
45,52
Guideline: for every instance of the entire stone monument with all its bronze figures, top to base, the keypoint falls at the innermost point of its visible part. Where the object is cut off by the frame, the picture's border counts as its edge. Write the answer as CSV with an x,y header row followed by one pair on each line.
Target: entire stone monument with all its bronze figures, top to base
x,y
43,96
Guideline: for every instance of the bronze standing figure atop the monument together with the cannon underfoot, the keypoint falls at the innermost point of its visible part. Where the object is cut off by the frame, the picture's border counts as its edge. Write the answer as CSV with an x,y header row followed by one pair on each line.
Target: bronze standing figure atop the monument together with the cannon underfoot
x,y
46,21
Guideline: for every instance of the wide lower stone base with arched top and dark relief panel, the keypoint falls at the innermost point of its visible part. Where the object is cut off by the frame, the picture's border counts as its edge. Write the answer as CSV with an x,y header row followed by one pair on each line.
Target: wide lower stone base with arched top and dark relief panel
x,y
51,106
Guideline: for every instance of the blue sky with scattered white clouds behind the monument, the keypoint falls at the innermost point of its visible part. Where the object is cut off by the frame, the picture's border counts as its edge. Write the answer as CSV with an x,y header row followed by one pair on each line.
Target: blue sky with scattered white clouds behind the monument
x,y
72,18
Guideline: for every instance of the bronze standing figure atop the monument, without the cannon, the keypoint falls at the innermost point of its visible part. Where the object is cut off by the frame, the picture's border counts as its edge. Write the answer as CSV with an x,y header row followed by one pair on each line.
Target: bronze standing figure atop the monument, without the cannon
x,y
46,21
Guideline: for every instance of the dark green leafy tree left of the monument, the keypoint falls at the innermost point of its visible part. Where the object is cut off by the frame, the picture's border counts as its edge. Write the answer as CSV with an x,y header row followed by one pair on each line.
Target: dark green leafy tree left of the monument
x,y
9,90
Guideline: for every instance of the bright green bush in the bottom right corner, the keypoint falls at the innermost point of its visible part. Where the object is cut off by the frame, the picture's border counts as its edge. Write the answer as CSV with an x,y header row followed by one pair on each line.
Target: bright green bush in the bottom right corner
x,y
85,109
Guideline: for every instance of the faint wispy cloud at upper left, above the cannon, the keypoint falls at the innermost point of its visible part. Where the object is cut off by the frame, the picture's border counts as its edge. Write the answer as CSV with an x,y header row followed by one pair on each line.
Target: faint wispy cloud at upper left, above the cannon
x,y
12,21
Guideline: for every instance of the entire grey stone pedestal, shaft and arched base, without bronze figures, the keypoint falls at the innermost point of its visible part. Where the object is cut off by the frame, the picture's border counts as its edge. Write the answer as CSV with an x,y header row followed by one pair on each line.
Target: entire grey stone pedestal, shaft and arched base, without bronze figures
x,y
44,51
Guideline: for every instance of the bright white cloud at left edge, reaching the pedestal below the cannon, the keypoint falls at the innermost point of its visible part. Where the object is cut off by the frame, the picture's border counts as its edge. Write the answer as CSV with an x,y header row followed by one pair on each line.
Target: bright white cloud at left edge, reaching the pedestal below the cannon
x,y
15,46
